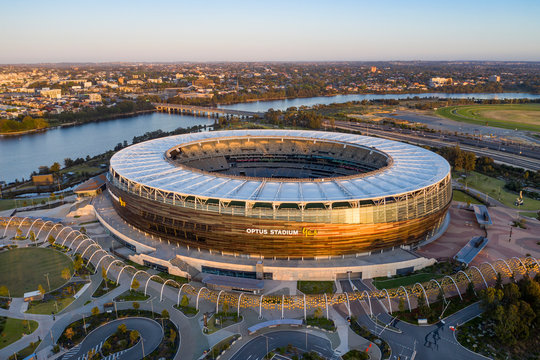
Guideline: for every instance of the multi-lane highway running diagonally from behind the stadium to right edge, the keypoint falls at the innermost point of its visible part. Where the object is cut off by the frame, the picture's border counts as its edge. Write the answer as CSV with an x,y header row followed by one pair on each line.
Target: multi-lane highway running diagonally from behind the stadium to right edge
x,y
421,139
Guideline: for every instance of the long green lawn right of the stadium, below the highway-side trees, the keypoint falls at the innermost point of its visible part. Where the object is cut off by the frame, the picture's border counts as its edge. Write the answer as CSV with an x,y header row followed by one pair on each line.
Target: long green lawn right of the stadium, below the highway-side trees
x,y
495,188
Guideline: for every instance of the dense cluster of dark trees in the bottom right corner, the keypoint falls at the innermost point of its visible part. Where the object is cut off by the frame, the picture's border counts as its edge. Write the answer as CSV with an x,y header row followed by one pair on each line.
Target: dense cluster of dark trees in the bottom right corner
x,y
512,311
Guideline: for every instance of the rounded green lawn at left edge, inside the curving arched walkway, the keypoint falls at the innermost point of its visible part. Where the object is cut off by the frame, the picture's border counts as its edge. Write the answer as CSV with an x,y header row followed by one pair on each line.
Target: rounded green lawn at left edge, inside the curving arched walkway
x,y
22,270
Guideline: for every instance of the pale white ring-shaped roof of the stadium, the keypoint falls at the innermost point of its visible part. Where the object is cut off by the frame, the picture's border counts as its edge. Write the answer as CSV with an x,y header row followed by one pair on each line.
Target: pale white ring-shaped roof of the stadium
x,y
413,168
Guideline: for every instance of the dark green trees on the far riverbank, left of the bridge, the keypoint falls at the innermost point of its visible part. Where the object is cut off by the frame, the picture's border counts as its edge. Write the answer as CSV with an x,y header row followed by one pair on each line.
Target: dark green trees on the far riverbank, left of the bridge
x,y
102,112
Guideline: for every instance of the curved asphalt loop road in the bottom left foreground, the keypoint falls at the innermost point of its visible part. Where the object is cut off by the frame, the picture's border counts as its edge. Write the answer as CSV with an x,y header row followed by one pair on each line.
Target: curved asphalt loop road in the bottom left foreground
x,y
150,331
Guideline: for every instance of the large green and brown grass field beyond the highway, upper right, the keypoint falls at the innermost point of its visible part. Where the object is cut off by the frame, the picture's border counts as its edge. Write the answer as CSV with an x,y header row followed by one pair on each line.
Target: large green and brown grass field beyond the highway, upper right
x,y
508,116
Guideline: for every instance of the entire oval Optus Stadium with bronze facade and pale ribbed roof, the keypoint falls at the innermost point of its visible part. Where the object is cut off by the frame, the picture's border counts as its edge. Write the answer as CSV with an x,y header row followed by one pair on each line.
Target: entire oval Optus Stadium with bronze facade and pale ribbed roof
x,y
281,193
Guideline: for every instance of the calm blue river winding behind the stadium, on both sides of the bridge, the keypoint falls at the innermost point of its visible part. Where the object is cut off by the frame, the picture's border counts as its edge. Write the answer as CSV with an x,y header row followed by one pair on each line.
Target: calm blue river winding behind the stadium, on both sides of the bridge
x,y
21,155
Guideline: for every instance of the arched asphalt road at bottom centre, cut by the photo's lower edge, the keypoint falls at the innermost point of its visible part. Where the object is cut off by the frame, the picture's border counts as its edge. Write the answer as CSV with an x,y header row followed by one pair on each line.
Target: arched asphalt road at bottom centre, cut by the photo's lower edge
x,y
257,348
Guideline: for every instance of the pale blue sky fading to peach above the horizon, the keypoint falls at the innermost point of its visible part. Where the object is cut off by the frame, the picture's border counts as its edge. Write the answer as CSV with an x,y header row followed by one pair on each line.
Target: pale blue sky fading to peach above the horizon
x,y
203,30
